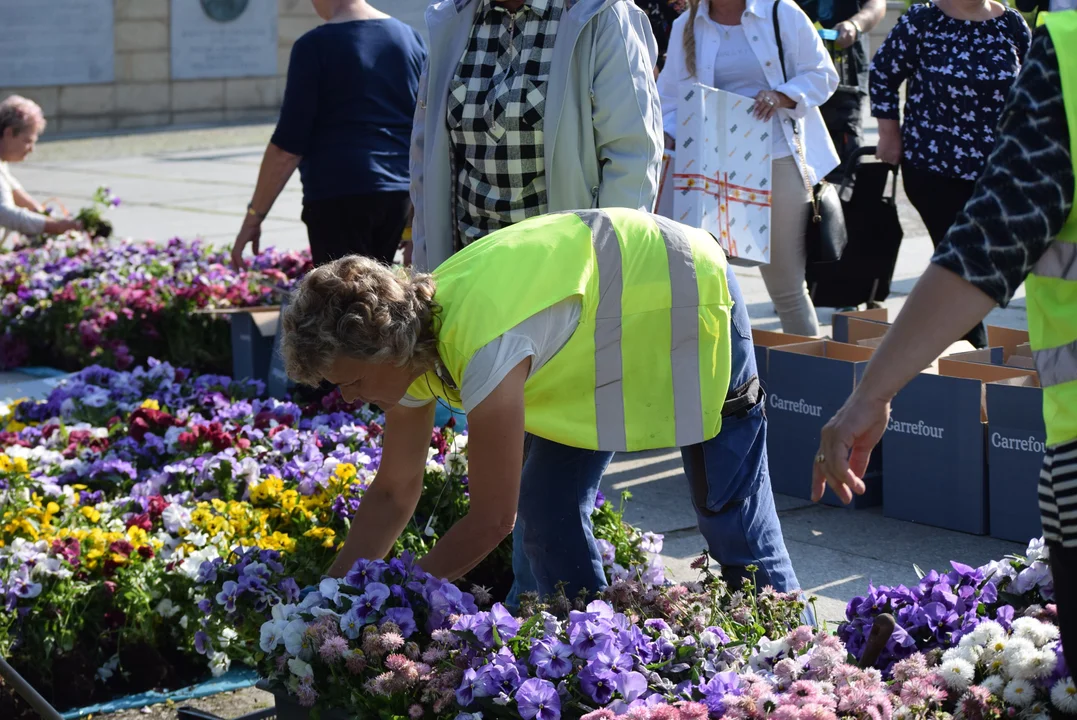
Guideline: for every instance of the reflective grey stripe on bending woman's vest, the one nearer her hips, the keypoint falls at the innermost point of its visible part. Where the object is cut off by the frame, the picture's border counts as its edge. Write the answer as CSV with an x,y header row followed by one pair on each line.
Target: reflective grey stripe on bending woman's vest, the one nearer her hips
x,y
684,322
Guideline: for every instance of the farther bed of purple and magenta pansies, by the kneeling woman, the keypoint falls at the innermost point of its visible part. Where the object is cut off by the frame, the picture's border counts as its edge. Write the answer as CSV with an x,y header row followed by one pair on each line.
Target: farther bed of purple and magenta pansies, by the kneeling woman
x,y
76,302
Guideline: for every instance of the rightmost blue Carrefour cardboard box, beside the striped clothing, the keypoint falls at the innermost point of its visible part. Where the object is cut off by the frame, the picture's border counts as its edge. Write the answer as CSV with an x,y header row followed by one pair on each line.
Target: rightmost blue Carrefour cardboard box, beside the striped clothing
x,y
1017,440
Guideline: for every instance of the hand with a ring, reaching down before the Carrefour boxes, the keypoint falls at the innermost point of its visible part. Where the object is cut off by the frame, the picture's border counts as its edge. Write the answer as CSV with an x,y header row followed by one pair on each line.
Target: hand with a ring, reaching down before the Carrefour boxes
x,y
846,447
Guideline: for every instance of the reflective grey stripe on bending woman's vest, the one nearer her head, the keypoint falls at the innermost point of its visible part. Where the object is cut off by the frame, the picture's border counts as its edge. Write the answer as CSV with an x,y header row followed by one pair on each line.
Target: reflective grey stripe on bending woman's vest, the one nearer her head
x,y
609,372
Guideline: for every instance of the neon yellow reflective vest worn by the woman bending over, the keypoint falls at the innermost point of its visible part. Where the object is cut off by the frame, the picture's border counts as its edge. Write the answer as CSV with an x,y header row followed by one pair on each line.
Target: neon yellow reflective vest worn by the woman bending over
x,y
649,365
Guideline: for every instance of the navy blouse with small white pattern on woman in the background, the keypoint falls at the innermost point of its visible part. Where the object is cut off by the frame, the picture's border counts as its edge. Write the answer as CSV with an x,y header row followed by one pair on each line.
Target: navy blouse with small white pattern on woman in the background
x,y
959,75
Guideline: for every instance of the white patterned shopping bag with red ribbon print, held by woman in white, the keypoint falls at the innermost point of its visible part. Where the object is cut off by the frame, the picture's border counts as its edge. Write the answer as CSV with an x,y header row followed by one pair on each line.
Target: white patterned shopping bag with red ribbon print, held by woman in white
x,y
722,183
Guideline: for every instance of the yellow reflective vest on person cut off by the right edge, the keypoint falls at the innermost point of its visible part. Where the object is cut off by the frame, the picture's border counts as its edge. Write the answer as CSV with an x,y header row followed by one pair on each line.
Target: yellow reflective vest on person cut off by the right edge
x,y
1053,287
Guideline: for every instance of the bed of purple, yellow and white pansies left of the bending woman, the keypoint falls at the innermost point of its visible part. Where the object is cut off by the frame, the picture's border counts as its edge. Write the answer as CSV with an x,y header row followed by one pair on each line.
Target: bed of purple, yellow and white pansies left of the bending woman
x,y
138,509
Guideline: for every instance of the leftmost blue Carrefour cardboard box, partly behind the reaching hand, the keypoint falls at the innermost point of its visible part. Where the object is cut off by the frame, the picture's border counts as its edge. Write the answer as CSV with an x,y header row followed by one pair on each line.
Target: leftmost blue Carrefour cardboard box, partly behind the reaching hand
x,y
807,385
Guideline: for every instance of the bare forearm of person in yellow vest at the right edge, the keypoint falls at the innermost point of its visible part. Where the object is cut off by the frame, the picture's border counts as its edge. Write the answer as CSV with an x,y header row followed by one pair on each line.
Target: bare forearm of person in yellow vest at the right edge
x,y
942,308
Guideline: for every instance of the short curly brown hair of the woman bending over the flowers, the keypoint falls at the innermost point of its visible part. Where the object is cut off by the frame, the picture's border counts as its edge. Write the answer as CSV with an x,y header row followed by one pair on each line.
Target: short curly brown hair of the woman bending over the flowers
x,y
359,308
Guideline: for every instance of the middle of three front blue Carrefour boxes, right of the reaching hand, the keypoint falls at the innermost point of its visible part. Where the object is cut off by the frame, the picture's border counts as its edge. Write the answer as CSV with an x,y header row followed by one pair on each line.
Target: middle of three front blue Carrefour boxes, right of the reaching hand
x,y
935,448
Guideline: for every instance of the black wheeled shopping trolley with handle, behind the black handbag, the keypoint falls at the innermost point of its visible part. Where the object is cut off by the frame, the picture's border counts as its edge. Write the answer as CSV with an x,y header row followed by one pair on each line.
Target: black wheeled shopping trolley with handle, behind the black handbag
x,y
864,273
